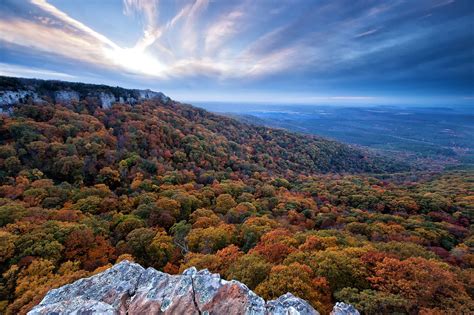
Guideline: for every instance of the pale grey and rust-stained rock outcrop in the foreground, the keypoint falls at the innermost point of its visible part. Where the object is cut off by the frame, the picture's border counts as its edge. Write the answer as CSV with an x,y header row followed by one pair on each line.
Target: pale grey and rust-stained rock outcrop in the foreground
x,y
128,288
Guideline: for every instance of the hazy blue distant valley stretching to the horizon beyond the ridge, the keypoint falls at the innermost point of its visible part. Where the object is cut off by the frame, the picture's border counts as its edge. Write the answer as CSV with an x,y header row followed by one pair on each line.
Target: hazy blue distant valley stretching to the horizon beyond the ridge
x,y
437,136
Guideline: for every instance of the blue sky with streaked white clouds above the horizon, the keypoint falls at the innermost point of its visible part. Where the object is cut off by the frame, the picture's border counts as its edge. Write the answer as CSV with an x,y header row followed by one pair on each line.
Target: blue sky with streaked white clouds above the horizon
x,y
279,51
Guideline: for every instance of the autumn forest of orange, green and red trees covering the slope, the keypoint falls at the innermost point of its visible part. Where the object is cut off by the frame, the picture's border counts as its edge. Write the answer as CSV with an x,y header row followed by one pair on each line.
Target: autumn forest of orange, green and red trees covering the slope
x,y
171,186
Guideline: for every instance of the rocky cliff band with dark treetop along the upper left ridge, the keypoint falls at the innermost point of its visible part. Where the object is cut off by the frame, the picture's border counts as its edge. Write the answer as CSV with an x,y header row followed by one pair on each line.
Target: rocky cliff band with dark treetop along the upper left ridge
x,y
20,90
